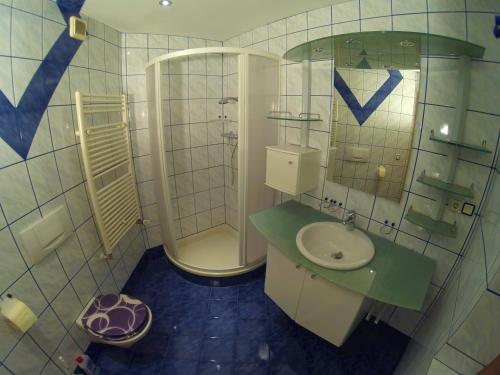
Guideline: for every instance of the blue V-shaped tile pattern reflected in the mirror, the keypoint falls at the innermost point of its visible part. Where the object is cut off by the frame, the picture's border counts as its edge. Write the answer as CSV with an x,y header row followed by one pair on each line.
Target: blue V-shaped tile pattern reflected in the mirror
x,y
362,113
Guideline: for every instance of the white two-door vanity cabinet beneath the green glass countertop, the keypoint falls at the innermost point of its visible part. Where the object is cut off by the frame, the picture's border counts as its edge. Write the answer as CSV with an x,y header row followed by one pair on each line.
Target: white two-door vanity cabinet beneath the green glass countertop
x,y
318,305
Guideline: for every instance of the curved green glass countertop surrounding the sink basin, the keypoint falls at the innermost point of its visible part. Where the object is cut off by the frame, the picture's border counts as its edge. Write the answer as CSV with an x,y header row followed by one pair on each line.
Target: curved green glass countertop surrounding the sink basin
x,y
396,275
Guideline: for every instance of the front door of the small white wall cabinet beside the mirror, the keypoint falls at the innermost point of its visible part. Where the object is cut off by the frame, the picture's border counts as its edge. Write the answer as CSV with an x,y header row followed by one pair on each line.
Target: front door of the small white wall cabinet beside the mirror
x,y
282,171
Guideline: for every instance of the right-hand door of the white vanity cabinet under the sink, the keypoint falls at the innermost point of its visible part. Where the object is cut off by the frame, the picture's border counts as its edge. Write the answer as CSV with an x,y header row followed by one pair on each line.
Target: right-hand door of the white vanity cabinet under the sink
x,y
327,310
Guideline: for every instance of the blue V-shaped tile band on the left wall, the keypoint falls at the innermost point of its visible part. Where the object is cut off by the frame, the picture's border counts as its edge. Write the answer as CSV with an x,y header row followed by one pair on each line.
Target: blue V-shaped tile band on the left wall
x,y
18,125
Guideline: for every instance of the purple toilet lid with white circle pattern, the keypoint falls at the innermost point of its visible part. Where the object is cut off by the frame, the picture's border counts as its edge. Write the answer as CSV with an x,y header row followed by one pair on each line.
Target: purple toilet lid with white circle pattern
x,y
115,316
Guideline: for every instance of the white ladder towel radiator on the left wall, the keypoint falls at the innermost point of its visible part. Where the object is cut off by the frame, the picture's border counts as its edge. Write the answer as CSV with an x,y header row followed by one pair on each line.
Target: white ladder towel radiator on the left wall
x,y
107,161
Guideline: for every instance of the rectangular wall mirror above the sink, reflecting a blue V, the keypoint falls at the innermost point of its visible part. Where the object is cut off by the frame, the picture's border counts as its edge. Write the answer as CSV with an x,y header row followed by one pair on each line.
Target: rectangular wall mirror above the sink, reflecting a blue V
x,y
373,120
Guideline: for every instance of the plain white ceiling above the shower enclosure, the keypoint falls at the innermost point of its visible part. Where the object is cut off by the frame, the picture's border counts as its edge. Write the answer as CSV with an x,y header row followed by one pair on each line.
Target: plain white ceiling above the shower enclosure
x,y
209,19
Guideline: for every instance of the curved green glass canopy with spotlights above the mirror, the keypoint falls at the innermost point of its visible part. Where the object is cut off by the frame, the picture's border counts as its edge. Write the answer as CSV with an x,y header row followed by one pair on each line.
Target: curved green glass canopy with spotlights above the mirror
x,y
382,49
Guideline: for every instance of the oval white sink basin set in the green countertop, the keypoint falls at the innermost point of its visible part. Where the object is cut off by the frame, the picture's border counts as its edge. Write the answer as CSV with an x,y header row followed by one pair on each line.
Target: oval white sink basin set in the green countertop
x,y
331,245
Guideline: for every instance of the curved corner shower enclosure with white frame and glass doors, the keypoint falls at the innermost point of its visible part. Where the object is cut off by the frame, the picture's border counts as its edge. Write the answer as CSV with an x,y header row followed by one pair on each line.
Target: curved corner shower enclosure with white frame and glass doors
x,y
208,132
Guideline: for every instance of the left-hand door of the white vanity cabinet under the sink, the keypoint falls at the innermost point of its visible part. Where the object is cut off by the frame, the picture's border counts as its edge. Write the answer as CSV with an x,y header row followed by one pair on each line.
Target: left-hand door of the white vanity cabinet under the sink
x,y
284,281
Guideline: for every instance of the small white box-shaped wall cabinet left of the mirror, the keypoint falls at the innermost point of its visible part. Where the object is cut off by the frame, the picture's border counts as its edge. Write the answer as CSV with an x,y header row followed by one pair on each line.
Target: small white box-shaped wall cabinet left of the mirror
x,y
292,169
